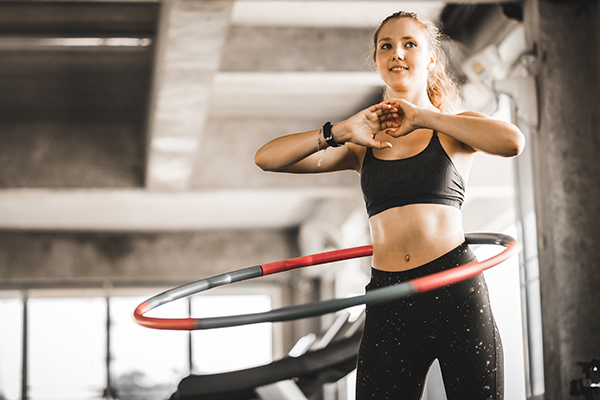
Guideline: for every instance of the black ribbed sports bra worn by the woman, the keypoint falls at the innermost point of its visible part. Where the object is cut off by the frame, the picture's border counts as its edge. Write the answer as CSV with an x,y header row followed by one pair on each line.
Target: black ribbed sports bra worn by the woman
x,y
427,177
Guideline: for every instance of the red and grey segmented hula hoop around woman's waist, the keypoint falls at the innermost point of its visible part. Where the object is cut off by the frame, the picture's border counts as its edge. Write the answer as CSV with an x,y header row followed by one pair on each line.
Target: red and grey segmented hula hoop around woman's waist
x,y
317,308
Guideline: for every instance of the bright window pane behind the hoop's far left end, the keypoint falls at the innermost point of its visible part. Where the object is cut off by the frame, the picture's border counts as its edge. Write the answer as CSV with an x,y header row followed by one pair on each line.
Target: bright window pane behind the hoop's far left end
x,y
147,363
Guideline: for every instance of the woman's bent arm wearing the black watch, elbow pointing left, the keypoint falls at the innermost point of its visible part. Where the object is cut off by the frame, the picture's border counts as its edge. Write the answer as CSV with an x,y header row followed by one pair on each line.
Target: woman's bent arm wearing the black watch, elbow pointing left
x,y
297,152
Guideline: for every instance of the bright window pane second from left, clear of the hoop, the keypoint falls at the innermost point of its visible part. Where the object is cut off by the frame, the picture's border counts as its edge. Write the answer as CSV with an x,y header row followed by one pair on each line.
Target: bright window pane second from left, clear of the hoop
x,y
67,348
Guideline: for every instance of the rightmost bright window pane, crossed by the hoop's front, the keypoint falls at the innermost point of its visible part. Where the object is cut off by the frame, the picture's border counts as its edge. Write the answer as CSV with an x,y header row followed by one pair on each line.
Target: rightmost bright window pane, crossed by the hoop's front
x,y
228,349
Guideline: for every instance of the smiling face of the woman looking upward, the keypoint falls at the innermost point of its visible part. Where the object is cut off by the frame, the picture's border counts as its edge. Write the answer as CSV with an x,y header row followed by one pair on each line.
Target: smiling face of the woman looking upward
x,y
402,56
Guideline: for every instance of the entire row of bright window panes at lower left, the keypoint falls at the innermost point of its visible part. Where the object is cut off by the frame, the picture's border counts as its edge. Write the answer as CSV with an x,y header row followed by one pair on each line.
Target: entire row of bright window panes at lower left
x,y
73,352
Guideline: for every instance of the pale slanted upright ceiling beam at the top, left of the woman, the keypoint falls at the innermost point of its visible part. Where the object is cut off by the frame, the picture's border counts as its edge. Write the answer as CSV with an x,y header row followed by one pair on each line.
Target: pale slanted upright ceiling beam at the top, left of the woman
x,y
190,40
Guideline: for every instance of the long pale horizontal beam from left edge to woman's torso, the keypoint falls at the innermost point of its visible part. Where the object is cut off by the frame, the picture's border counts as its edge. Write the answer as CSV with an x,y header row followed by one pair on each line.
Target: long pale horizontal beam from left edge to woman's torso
x,y
140,210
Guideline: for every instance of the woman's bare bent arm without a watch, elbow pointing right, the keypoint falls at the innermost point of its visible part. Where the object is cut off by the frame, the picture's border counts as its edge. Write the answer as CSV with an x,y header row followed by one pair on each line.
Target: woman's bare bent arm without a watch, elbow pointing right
x,y
474,129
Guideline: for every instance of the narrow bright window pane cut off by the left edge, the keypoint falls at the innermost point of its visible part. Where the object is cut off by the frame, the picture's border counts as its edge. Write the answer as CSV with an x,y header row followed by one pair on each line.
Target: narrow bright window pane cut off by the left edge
x,y
11,350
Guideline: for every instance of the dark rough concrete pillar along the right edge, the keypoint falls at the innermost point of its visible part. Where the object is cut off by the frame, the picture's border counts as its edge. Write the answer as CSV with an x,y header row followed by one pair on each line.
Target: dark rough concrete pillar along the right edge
x,y
566,151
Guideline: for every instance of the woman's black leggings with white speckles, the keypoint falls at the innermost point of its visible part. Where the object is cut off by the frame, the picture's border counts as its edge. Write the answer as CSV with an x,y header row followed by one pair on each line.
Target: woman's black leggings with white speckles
x,y
401,339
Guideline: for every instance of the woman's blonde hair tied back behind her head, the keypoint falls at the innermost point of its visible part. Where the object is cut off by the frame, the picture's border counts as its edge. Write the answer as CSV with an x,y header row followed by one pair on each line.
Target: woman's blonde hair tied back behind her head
x,y
441,88
